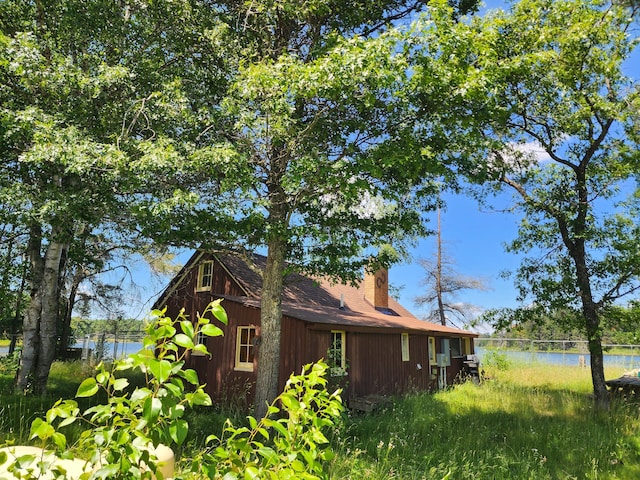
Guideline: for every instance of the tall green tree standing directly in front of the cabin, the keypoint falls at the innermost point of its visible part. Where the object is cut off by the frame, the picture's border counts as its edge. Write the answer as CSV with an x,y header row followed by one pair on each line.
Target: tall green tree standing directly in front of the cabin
x,y
310,155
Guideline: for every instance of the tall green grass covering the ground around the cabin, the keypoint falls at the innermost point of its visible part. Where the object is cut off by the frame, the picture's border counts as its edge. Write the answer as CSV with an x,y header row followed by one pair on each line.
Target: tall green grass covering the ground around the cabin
x,y
523,422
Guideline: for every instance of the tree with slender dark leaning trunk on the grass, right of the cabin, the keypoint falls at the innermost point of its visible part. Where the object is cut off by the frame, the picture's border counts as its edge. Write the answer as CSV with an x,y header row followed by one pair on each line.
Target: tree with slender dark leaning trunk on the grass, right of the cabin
x,y
540,92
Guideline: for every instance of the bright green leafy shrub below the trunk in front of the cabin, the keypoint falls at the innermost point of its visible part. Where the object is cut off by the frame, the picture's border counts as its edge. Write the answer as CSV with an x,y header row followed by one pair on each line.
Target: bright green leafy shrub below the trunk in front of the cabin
x,y
289,447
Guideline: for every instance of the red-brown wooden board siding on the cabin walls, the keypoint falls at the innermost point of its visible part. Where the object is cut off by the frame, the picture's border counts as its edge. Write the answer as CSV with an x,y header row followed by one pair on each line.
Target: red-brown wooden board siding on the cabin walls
x,y
374,357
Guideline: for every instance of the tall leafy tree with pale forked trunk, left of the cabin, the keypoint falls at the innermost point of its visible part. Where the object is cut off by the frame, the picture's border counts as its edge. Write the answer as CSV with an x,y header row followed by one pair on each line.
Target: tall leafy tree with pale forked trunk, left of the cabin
x,y
85,87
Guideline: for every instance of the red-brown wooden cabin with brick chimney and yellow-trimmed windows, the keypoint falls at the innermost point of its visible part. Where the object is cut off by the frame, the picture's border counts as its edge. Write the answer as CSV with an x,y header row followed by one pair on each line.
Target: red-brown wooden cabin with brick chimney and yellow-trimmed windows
x,y
372,343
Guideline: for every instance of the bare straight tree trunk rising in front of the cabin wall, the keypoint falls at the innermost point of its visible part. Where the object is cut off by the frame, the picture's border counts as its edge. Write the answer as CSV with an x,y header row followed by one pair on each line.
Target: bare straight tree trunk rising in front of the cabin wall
x,y
271,325
